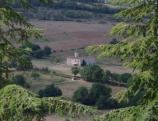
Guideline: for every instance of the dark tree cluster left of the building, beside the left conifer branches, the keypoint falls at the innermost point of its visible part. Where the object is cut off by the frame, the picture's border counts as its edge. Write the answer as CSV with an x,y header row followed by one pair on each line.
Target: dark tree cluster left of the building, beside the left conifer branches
x,y
34,52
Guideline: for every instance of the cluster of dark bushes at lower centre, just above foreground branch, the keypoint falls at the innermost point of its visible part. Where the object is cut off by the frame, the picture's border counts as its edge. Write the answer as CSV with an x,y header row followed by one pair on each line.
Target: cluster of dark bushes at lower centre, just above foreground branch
x,y
99,95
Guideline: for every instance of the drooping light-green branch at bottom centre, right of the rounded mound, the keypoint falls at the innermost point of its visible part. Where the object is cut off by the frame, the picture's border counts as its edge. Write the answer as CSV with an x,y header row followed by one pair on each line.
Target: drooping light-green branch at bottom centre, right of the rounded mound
x,y
69,108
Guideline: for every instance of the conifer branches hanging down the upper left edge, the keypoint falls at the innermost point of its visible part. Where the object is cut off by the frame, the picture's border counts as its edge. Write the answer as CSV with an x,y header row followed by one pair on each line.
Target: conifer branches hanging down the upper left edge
x,y
13,27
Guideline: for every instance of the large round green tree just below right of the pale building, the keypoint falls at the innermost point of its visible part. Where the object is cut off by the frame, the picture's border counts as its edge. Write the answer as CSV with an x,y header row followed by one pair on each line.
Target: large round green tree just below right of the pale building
x,y
92,73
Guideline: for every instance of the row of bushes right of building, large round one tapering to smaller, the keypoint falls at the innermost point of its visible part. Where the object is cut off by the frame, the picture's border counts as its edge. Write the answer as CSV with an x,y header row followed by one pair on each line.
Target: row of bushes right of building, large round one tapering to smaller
x,y
94,73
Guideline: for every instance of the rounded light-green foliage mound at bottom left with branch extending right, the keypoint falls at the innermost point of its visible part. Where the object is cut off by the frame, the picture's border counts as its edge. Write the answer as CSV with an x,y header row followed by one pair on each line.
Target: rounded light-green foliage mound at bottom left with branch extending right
x,y
19,104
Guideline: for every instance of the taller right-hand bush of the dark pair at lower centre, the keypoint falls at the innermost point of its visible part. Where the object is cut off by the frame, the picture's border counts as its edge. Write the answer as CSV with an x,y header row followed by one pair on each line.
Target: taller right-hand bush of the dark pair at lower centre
x,y
99,89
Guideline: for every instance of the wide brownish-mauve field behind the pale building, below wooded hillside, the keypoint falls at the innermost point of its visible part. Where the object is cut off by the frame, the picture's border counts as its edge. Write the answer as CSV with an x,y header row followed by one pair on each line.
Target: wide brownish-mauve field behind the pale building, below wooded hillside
x,y
72,35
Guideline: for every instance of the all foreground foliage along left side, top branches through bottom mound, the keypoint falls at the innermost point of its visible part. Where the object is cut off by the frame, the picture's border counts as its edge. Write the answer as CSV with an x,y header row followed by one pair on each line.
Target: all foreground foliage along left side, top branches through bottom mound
x,y
16,103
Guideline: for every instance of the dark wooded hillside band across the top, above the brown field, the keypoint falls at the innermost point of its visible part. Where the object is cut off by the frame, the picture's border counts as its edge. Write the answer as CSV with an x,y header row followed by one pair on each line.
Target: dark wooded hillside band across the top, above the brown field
x,y
70,11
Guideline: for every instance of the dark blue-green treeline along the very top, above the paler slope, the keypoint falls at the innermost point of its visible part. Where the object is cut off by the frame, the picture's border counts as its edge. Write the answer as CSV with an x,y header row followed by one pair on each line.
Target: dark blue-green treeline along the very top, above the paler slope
x,y
78,5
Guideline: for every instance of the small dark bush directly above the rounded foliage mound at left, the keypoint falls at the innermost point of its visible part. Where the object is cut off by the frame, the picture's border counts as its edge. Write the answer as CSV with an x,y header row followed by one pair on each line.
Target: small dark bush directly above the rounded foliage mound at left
x,y
20,80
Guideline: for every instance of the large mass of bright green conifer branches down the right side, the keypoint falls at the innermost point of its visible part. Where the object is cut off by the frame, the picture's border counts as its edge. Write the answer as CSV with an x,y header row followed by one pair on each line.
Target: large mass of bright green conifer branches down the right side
x,y
139,45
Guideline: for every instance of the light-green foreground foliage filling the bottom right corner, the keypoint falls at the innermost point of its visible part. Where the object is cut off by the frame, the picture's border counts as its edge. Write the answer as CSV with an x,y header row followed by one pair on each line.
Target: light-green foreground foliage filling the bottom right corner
x,y
134,113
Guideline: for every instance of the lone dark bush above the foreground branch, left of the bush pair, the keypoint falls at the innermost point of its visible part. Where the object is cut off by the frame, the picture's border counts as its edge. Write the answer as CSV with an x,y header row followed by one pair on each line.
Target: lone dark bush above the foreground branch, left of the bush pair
x,y
50,91
